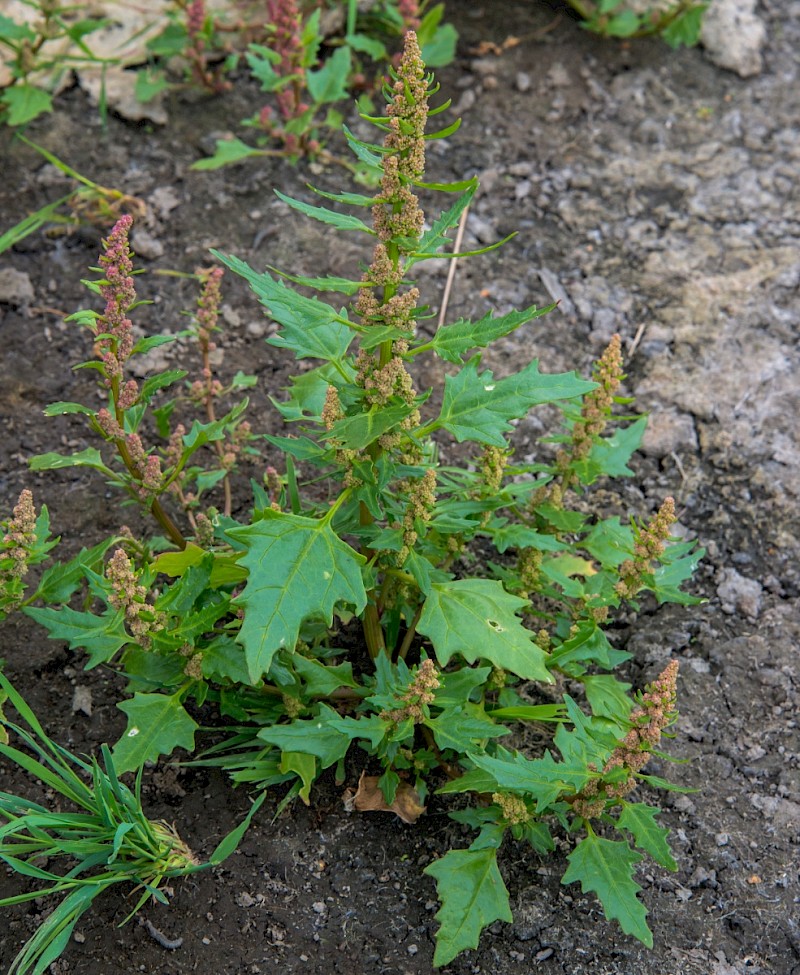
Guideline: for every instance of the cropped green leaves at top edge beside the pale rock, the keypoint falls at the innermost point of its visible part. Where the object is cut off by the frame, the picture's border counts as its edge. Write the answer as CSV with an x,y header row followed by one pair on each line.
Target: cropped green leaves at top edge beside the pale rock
x,y
678,22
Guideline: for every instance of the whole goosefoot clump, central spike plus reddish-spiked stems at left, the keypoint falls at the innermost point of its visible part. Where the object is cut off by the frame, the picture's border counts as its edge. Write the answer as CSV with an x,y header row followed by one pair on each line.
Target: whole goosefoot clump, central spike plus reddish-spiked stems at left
x,y
376,595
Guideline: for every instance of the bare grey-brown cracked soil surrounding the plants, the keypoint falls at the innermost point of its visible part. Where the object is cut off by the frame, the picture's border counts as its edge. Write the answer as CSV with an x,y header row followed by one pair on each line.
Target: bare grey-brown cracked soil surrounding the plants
x,y
655,195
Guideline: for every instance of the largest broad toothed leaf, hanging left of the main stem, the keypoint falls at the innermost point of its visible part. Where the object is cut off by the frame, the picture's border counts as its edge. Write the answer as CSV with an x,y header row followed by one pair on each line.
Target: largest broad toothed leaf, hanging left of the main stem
x,y
299,569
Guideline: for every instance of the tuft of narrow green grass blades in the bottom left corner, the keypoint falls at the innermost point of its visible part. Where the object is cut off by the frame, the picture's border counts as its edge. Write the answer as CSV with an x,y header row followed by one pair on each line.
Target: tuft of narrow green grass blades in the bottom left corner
x,y
108,840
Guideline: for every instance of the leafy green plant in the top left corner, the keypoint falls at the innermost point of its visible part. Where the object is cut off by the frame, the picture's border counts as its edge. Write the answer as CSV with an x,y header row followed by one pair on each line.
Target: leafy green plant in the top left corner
x,y
39,52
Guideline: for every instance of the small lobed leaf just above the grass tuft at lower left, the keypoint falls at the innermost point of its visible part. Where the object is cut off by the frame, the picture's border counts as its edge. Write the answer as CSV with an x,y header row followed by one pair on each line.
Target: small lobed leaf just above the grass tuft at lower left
x,y
157,725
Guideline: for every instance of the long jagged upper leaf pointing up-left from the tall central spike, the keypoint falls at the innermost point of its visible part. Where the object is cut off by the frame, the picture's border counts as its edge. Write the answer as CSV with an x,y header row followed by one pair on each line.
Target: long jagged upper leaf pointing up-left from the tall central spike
x,y
310,328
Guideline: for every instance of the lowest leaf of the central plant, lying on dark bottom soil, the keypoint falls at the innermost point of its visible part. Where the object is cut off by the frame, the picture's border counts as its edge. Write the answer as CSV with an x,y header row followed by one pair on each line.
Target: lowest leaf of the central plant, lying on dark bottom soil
x,y
473,896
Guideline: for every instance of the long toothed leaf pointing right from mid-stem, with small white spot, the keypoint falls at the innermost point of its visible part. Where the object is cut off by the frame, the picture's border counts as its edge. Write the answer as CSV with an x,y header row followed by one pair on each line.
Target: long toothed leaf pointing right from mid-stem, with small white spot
x,y
478,407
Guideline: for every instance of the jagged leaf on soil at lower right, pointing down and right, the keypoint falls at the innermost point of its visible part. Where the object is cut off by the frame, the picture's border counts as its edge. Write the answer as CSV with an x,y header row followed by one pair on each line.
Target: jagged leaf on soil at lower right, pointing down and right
x,y
605,867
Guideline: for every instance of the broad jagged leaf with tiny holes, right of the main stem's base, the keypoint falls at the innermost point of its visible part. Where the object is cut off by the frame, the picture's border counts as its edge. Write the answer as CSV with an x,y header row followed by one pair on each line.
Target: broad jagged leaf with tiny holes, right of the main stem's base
x,y
476,618
